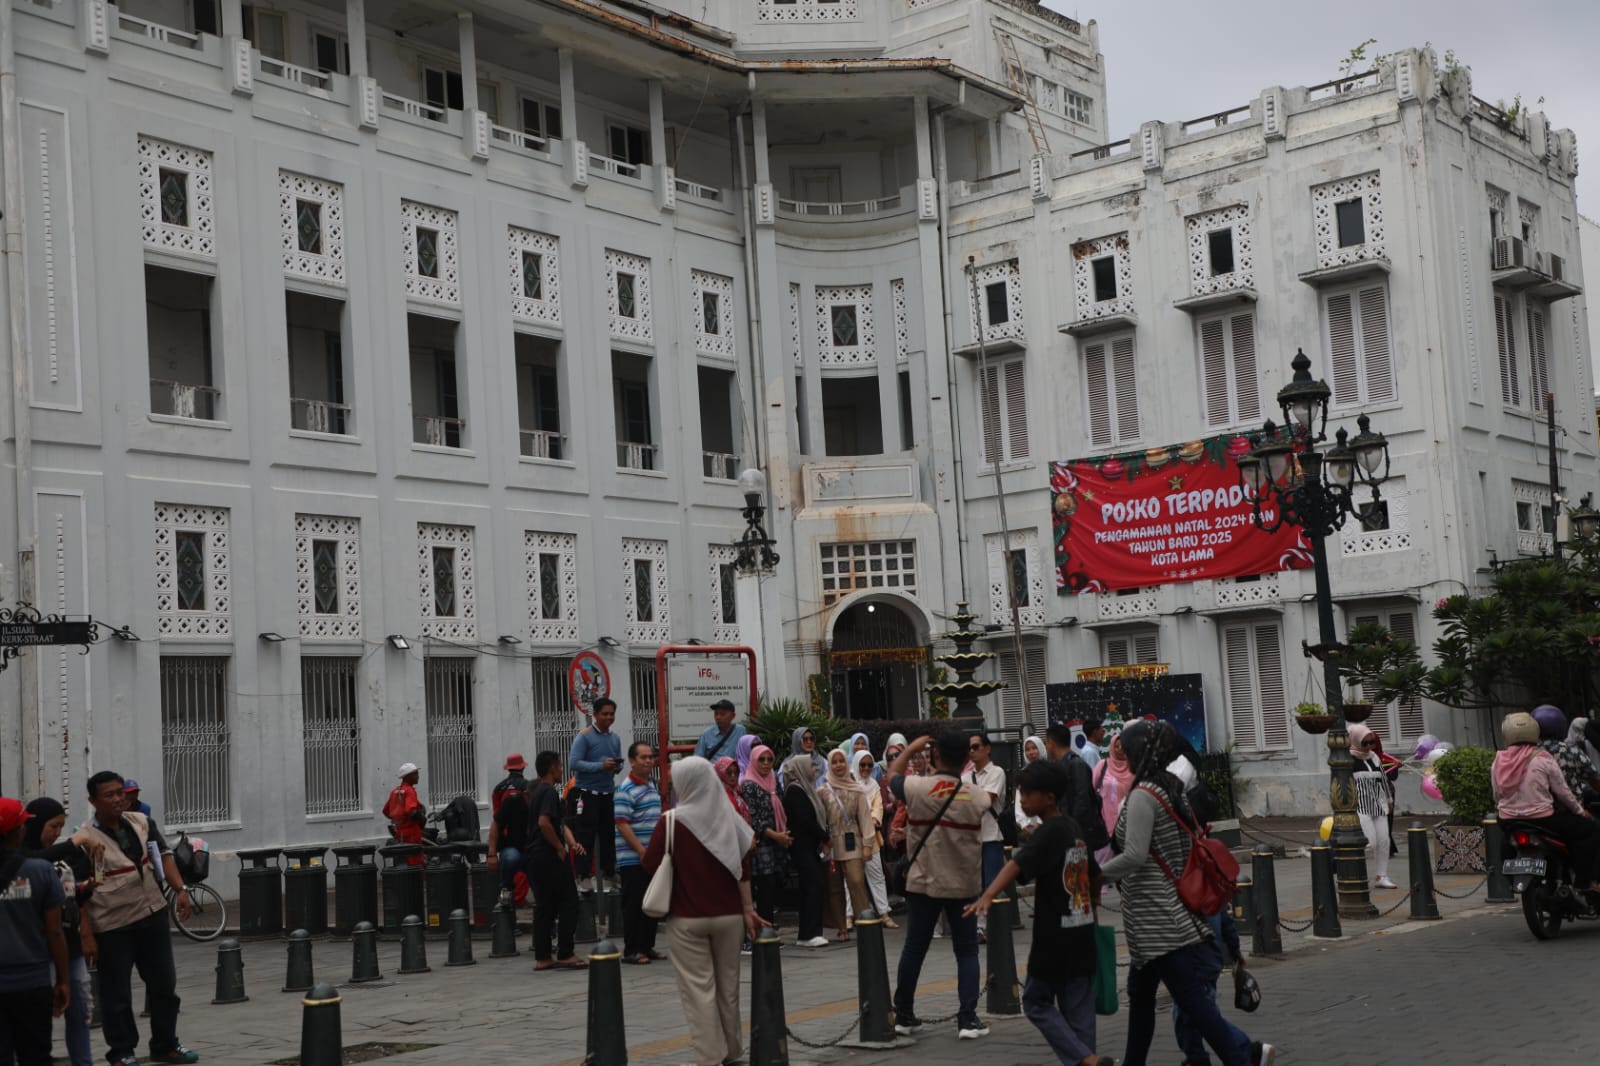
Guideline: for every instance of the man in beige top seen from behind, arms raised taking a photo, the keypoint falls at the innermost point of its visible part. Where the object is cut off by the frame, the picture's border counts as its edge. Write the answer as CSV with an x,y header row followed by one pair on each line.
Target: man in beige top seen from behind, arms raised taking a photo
x,y
943,828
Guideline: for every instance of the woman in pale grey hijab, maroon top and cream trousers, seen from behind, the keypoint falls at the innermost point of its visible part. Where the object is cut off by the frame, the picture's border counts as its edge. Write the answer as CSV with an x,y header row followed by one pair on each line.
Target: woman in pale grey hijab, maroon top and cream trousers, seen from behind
x,y
711,912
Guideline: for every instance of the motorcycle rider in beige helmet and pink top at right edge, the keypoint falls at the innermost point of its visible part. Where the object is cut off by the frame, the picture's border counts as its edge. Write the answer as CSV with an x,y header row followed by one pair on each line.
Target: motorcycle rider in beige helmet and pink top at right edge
x,y
1530,788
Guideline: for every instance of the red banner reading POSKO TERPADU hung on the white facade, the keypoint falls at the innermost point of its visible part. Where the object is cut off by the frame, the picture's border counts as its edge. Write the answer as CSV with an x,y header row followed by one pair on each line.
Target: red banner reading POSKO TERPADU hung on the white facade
x,y
1159,516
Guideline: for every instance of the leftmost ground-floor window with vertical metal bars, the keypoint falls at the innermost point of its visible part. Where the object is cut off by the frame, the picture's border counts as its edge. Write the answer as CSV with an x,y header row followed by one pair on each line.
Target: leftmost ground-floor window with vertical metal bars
x,y
198,747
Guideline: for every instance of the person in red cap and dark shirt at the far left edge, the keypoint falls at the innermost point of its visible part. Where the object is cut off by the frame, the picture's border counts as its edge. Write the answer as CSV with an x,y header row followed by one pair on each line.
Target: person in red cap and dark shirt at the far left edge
x,y
31,942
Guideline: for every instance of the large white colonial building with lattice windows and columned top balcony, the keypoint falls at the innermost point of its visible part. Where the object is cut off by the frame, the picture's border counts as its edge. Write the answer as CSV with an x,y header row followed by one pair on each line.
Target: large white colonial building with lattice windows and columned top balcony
x,y
374,359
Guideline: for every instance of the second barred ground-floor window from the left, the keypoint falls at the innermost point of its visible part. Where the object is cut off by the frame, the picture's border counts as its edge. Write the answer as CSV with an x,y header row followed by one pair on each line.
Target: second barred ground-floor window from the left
x,y
332,734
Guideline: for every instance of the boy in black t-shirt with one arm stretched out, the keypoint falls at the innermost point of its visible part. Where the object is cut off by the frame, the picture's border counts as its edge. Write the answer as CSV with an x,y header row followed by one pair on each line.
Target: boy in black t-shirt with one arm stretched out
x,y
1060,992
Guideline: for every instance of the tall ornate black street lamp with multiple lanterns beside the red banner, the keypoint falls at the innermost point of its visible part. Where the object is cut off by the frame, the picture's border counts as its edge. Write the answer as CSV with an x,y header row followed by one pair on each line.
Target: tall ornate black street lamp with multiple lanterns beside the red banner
x,y
1290,483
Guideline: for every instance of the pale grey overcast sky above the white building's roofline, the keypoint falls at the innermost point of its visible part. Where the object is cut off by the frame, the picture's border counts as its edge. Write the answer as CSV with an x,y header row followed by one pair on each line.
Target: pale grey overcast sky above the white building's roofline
x,y
1177,60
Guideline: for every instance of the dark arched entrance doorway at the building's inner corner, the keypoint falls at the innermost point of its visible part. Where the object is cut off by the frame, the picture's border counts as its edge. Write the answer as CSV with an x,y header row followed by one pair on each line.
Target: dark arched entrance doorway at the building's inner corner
x,y
878,662
